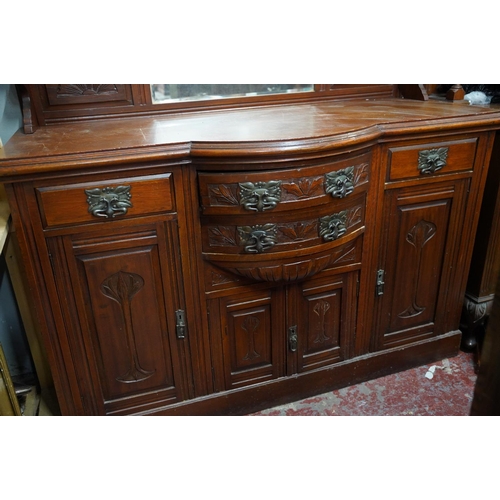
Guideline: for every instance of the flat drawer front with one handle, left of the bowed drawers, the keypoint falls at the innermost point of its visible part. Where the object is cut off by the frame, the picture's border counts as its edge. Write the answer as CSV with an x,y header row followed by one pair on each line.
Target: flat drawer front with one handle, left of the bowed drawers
x,y
107,200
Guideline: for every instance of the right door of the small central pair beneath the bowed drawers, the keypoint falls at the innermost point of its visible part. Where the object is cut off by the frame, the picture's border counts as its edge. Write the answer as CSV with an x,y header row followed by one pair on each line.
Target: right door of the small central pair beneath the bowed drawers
x,y
323,313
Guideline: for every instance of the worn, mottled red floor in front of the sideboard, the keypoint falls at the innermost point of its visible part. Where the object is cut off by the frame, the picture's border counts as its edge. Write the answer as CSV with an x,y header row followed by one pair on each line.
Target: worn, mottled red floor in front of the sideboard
x,y
448,393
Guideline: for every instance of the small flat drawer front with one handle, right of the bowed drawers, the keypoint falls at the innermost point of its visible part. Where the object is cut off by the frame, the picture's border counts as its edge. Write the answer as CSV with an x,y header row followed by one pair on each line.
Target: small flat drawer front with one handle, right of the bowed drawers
x,y
436,158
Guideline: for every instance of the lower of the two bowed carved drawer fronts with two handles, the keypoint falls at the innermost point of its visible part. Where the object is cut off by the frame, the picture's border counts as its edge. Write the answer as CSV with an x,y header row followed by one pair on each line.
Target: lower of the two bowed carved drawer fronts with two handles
x,y
264,234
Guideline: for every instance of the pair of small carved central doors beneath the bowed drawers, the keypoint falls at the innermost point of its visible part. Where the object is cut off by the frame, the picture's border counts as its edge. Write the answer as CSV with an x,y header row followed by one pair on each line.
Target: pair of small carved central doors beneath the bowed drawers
x,y
267,333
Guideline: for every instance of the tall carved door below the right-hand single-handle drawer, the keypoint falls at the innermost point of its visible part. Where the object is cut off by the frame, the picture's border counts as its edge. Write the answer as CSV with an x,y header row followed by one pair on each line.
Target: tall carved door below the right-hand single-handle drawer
x,y
419,251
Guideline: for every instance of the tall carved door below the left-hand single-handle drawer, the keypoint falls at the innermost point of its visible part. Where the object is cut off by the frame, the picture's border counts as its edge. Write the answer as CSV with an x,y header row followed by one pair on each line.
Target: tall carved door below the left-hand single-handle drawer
x,y
119,299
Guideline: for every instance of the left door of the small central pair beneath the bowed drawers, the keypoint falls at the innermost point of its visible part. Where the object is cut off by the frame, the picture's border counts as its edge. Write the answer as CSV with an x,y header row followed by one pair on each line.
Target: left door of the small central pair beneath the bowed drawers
x,y
250,327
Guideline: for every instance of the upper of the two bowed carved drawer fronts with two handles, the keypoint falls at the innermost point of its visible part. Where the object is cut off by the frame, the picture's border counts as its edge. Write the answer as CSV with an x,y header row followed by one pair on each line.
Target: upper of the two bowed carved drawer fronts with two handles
x,y
268,191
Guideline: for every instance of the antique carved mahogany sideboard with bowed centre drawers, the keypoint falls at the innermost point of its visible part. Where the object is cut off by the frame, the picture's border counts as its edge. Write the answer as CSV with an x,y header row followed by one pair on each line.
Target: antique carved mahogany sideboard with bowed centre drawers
x,y
223,261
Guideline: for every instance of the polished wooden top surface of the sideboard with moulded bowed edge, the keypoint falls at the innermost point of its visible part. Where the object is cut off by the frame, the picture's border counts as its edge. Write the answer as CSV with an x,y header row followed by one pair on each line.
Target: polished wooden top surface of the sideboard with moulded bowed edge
x,y
299,128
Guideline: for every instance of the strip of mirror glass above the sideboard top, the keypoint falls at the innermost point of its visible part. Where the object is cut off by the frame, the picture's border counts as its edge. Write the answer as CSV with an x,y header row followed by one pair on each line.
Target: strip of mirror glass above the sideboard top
x,y
173,92
